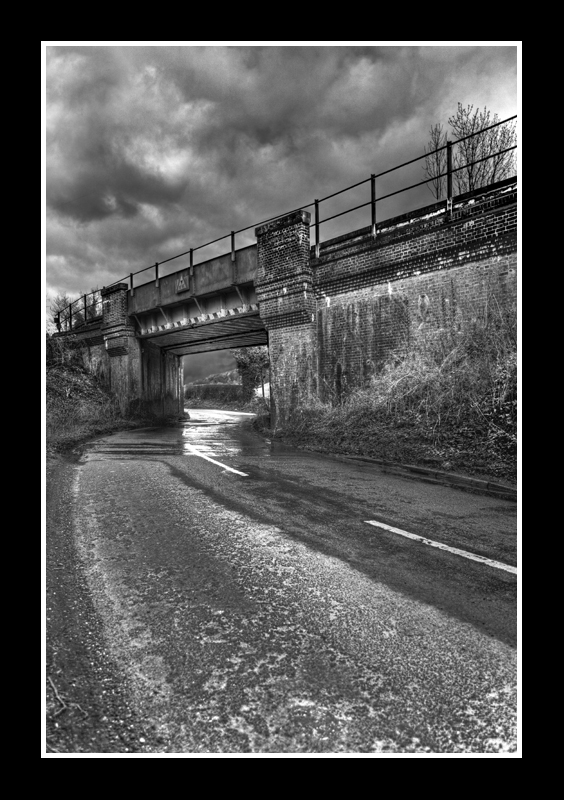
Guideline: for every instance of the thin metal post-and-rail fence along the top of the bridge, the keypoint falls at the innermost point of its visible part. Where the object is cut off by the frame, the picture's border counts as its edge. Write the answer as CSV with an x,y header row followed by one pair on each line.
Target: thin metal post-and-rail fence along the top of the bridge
x,y
64,318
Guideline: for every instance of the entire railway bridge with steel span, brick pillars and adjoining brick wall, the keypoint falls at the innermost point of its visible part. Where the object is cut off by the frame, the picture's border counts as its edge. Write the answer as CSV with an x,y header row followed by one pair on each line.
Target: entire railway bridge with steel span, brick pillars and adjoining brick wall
x,y
331,313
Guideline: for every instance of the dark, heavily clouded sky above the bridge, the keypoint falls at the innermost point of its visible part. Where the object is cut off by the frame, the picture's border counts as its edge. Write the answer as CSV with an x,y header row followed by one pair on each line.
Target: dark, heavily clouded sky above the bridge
x,y
152,149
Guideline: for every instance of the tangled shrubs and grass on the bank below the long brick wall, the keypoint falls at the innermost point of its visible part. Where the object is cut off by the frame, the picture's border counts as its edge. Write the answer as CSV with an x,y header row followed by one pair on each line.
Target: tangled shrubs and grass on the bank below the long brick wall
x,y
450,403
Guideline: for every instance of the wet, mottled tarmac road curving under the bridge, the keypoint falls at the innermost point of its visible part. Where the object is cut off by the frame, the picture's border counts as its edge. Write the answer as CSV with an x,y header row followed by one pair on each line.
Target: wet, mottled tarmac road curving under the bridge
x,y
251,607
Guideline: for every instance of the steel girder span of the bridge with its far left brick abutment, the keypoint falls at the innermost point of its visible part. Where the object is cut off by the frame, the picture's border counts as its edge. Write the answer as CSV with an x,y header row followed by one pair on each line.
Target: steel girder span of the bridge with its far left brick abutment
x,y
138,342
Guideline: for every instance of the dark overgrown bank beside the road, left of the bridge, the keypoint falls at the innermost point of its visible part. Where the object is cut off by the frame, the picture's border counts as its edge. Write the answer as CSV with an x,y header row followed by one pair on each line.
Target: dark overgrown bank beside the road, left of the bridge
x,y
78,404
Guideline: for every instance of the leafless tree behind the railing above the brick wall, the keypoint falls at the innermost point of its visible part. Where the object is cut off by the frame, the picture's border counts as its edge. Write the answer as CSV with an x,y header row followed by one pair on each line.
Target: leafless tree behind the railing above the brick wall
x,y
489,148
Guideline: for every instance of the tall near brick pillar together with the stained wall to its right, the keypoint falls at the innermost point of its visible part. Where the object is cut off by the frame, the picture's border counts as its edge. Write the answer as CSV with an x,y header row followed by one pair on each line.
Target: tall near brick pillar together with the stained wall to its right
x,y
334,320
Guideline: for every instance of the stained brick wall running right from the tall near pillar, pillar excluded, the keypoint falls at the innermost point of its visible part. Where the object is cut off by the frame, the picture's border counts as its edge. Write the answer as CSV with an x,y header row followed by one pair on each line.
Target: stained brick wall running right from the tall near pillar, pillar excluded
x,y
424,272
